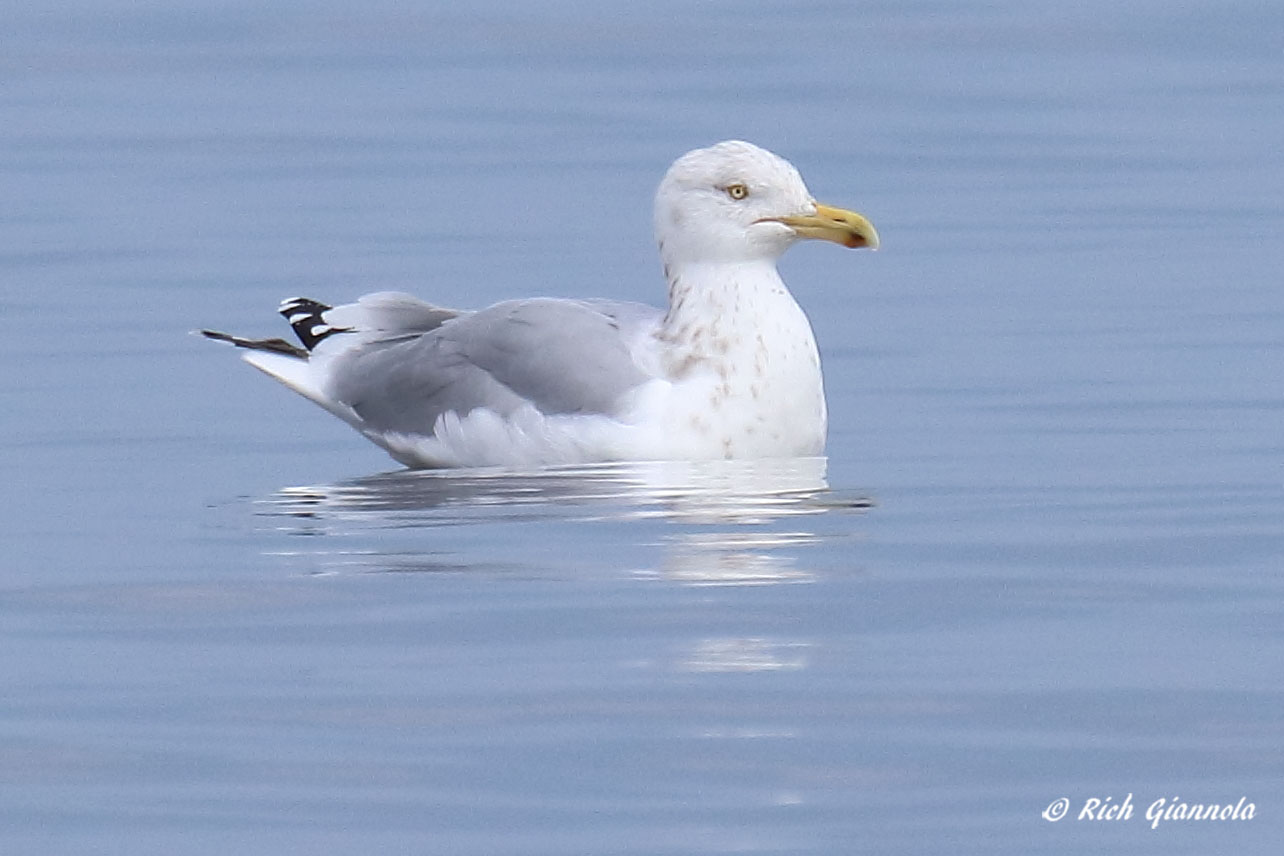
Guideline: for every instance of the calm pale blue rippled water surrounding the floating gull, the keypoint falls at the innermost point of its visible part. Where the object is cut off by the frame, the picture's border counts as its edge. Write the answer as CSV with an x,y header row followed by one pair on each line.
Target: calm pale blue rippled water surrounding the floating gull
x,y
1043,559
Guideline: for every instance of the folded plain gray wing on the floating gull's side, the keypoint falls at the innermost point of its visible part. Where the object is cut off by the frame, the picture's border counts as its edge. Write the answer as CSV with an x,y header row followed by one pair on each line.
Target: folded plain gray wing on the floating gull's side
x,y
558,356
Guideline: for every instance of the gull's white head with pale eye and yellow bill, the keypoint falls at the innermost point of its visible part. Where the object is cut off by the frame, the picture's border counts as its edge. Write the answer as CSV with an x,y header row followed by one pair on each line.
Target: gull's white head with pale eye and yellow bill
x,y
735,202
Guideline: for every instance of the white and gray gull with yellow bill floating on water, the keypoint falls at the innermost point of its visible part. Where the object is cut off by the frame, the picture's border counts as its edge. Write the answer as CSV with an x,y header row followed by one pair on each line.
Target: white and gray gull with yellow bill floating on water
x,y
729,370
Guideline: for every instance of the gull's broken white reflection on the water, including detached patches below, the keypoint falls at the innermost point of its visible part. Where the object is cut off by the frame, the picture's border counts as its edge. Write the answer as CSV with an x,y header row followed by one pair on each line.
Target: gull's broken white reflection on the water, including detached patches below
x,y
709,524
